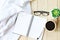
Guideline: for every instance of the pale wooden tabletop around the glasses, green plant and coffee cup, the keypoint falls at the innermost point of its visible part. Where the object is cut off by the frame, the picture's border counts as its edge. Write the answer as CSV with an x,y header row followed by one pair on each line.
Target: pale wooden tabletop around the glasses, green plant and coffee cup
x,y
48,5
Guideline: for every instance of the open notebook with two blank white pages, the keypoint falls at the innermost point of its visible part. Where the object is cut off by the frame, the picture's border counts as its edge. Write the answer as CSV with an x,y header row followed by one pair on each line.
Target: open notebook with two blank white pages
x,y
23,22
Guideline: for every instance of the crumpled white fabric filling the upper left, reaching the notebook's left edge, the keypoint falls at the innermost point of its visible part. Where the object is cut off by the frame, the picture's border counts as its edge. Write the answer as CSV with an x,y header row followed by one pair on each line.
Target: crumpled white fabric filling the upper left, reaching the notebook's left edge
x,y
9,8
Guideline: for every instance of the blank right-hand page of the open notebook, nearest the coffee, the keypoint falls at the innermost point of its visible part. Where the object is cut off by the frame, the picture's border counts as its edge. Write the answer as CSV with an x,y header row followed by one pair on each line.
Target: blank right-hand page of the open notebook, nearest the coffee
x,y
37,27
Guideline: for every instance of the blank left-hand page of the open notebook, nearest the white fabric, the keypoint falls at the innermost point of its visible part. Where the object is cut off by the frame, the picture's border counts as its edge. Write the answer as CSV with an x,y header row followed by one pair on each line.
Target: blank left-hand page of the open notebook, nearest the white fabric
x,y
22,24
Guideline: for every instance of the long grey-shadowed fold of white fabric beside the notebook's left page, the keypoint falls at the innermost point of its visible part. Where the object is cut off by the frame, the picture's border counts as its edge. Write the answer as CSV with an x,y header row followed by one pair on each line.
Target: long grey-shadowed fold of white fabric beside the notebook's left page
x,y
8,25
